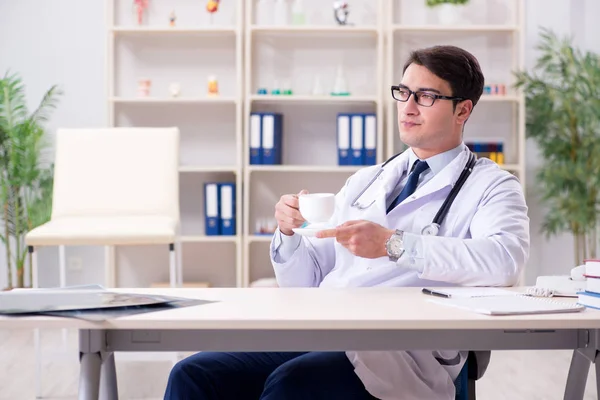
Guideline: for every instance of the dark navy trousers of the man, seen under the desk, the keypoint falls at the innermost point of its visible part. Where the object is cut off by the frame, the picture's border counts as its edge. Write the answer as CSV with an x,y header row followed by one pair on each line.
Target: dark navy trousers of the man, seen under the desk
x,y
265,376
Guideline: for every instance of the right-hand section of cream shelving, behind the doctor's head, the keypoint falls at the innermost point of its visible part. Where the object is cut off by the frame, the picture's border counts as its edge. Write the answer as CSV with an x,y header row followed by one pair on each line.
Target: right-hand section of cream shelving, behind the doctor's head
x,y
493,43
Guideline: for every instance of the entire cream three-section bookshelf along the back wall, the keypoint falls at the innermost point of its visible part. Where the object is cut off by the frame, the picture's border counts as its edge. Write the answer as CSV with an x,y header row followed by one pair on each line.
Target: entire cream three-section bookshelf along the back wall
x,y
248,54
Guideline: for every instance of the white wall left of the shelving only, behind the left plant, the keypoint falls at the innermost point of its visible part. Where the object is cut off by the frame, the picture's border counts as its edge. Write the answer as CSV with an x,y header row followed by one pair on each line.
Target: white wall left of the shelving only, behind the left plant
x,y
58,42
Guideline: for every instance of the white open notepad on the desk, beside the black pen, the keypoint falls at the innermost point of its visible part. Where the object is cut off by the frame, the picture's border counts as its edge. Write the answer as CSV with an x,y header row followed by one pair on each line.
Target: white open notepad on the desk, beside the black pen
x,y
510,305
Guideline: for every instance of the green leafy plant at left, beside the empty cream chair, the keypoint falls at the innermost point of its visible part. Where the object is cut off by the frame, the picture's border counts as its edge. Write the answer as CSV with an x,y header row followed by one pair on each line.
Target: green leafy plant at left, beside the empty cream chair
x,y
25,179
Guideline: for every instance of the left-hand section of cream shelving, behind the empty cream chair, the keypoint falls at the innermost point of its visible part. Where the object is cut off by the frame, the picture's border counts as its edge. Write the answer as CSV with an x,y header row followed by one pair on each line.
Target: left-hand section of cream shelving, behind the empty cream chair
x,y
188,53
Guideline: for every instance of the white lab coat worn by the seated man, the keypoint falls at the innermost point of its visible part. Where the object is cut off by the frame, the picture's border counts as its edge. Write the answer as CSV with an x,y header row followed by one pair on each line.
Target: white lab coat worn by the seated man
x,y
483,241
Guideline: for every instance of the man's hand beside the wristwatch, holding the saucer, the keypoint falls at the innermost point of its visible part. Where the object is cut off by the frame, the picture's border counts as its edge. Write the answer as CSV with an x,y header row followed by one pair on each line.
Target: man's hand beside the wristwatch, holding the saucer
x,y
362,238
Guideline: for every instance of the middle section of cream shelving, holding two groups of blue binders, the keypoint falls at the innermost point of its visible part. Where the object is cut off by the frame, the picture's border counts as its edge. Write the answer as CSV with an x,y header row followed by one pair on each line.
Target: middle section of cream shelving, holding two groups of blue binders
x,y
298,53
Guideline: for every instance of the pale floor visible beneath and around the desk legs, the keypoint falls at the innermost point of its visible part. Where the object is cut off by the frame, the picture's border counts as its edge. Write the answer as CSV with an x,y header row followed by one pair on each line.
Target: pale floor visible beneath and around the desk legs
x,y
512,375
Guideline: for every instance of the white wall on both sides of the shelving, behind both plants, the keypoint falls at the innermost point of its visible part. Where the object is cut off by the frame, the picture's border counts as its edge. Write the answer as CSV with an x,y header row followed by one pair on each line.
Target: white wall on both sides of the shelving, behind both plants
x,y
62,41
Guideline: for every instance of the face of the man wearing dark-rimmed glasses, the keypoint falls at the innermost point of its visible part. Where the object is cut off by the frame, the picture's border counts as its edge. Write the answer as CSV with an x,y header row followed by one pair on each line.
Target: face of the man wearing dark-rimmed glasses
x,y
432,129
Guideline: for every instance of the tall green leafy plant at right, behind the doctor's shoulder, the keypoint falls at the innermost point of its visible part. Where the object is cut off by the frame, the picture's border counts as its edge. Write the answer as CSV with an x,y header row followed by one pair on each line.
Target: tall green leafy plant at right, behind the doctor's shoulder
x,y
562,95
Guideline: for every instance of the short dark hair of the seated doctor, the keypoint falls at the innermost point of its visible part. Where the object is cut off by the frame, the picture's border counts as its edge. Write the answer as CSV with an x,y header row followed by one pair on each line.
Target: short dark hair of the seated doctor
x,y
456,66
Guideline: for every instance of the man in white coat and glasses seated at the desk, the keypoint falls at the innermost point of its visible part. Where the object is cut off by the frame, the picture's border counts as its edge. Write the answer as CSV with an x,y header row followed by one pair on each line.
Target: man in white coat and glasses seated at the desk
x,y
384,235
